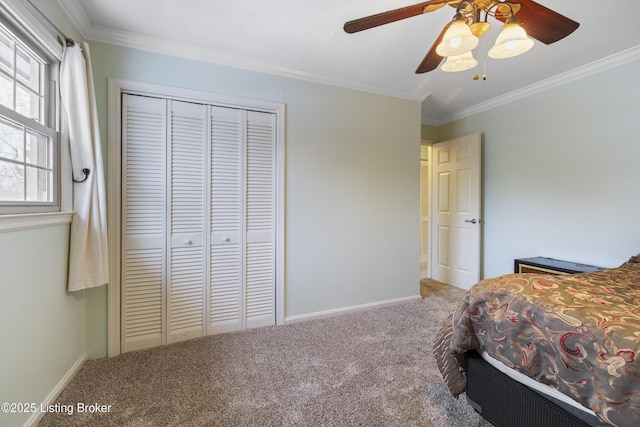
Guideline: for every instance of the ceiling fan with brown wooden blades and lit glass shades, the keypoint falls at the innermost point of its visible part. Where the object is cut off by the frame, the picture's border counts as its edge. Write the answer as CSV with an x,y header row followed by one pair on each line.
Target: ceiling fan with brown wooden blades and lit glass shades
x,y
460,36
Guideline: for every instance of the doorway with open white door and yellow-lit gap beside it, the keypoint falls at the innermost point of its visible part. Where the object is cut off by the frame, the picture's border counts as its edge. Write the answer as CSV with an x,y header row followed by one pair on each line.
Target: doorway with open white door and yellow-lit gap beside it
x,y
450,205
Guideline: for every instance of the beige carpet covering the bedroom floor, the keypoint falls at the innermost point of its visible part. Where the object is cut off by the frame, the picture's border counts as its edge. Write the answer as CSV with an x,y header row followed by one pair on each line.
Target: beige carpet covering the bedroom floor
x,y
368,368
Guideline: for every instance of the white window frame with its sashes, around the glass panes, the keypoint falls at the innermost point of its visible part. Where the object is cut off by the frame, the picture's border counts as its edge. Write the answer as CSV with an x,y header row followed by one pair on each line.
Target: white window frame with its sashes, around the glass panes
x,y
40,36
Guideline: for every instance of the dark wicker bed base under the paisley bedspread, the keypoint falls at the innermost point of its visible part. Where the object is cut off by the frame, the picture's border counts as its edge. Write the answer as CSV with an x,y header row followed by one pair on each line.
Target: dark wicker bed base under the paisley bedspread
x,y
505,402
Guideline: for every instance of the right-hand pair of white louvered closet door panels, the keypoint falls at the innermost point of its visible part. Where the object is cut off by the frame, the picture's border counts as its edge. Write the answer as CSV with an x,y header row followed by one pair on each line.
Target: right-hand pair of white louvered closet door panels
x,y
242,291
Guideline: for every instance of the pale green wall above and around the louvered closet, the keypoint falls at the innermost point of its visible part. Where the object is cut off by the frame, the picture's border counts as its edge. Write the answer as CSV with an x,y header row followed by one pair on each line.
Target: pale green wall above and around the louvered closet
x,y
352,181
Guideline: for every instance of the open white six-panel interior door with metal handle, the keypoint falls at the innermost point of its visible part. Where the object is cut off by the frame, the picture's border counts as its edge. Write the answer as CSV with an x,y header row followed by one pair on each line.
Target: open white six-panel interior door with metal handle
x,y
456,227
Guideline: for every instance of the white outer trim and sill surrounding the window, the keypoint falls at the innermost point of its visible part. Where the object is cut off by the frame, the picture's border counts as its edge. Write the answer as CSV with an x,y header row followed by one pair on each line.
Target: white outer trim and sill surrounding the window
x,y
23,14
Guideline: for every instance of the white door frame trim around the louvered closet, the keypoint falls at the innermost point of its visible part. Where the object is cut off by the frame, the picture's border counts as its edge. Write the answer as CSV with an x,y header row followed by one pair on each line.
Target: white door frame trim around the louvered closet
x,y
116,87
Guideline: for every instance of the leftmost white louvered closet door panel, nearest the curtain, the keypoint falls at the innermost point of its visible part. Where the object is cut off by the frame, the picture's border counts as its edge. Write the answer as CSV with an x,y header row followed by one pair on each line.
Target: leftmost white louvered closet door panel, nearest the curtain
x,y
143,222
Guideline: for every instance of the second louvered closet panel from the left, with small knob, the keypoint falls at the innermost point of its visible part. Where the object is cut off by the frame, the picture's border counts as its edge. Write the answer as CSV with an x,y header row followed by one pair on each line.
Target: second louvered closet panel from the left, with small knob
x,y
188,189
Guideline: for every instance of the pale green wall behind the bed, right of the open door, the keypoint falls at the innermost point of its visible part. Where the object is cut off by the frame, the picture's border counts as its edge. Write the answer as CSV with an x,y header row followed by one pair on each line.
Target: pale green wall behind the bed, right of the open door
x,y
560,173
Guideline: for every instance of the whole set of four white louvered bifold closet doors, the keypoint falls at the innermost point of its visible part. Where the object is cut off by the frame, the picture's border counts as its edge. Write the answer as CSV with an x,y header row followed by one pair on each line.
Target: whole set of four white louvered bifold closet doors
x,y
198,220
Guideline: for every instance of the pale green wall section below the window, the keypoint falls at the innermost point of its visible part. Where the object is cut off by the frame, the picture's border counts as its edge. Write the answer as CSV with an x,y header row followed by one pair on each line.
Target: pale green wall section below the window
x,y
43,326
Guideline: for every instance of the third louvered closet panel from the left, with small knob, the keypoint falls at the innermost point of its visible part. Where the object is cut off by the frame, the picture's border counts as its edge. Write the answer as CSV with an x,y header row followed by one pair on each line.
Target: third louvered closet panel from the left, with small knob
x,y
226,263
